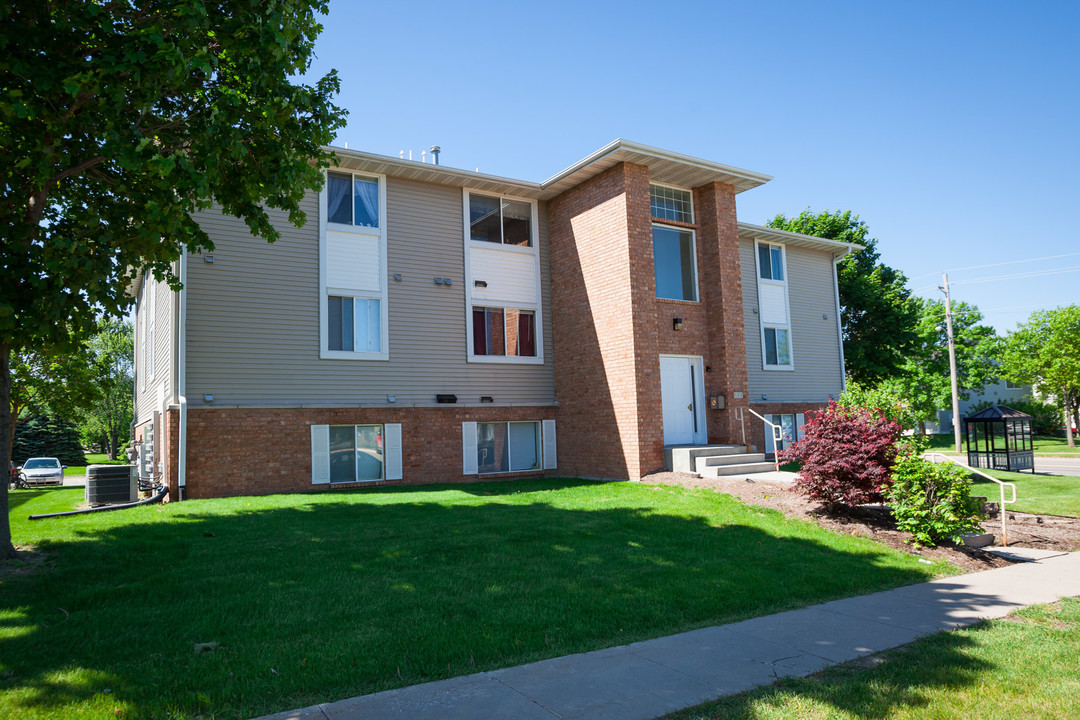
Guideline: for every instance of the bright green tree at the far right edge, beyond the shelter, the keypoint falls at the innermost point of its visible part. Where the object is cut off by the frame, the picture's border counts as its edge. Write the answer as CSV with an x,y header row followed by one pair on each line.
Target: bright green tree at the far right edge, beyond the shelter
x,y
1045,351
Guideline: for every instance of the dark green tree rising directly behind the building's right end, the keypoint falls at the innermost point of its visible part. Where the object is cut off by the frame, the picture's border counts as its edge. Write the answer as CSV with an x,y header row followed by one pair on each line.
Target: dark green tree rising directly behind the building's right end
x,y
876,307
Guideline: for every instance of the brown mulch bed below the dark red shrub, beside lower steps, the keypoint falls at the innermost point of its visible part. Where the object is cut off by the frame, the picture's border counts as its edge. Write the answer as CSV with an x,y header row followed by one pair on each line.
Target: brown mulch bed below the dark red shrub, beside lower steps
x,y
876,523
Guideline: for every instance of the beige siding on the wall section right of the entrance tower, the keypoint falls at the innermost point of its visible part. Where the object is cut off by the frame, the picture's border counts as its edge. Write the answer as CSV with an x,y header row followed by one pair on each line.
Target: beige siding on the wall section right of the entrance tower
x,y
816,351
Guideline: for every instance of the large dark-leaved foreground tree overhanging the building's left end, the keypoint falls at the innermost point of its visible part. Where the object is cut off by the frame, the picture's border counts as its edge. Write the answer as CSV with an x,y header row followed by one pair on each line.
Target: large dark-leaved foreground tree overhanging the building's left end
x,y
120,121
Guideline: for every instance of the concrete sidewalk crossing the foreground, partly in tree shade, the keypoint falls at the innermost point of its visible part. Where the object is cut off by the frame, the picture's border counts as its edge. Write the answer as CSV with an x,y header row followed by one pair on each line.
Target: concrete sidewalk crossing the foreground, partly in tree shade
x,y
653,678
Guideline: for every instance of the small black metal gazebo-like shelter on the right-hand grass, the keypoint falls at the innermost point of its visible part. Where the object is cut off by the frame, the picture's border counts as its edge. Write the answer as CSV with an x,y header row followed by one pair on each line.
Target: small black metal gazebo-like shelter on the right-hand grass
x,y
1000,438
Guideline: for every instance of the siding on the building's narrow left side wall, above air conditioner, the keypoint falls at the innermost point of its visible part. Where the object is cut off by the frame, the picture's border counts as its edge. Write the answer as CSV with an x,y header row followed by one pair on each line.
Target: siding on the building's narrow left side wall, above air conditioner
x,y
148,400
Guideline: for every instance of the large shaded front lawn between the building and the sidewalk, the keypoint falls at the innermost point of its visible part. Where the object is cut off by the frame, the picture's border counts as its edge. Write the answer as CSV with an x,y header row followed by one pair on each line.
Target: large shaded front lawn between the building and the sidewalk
x,y
318,597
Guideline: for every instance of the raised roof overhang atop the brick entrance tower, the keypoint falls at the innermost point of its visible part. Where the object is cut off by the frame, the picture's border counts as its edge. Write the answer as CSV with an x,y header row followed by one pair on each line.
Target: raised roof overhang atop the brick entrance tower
x,y
665,167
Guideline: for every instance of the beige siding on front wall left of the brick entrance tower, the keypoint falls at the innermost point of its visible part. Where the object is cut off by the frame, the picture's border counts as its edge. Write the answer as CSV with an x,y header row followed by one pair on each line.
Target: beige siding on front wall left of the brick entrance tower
x,y
253,316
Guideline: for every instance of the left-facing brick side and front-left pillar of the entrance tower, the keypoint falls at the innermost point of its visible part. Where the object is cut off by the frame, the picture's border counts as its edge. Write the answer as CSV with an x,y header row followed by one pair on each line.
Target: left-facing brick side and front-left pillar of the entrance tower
x,y
593,293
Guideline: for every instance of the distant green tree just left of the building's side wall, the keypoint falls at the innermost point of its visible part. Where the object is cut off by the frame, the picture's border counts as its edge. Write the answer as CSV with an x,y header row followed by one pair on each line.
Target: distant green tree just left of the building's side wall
x,y
109,419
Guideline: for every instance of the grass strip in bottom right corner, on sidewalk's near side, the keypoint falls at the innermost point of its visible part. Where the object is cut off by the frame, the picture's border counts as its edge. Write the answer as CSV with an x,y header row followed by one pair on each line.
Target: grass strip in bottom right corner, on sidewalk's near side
x,y
1028,667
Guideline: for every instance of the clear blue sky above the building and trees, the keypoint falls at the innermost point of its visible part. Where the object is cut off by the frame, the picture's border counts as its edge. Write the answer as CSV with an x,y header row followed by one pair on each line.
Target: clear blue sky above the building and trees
x,y
953,129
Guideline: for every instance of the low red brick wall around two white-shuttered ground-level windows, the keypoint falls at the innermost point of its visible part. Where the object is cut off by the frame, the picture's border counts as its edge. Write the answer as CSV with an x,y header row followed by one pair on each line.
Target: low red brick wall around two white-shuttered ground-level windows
x,y
260,452
